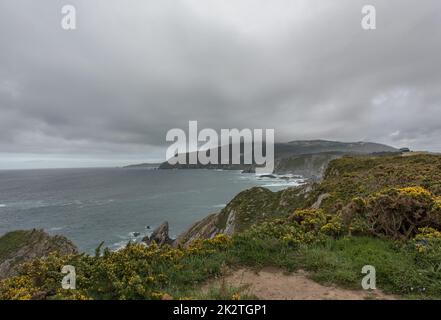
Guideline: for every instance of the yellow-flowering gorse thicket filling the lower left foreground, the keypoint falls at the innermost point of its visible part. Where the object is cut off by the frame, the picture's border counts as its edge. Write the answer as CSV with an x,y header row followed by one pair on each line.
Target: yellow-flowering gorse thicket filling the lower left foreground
x,y
135,272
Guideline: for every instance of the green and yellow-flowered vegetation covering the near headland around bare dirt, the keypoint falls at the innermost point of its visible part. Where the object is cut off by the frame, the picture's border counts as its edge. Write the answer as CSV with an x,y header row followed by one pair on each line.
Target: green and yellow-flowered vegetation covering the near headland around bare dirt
x,y
382,211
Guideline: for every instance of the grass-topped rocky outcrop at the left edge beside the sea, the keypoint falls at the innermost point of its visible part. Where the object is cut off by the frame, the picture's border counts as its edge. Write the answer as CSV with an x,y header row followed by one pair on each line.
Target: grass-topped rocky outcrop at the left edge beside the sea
x,y
21,246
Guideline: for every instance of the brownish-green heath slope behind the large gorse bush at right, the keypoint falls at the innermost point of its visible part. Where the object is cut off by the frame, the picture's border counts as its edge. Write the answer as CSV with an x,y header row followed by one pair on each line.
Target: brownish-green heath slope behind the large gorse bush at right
x,y
349,177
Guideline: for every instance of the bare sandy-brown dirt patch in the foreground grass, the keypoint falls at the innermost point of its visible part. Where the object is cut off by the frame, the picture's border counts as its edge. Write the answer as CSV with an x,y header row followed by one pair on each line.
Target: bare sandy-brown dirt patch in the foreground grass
x,y
275,284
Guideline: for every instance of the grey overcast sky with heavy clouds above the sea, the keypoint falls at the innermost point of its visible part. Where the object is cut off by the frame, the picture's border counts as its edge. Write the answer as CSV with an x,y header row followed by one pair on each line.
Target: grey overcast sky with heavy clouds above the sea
x,y
106,93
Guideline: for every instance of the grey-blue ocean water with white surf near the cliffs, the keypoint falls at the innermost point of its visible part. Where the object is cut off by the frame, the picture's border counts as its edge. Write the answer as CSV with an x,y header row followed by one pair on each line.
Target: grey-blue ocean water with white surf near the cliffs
x,y
113,204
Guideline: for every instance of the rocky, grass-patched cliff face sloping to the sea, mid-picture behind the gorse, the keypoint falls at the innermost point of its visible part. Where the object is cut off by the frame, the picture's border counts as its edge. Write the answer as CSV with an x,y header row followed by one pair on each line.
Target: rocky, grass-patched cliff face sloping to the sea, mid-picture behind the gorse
x,y
247,208
